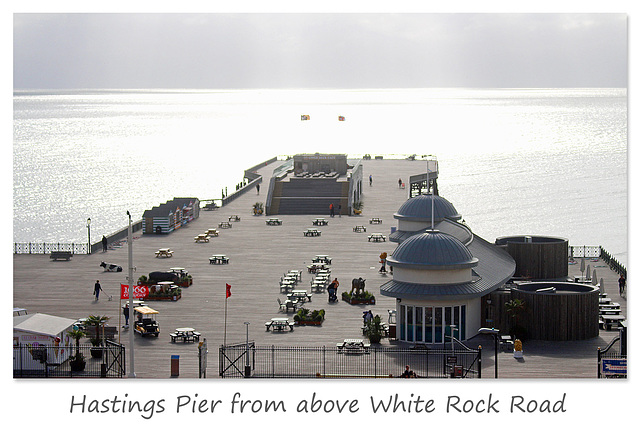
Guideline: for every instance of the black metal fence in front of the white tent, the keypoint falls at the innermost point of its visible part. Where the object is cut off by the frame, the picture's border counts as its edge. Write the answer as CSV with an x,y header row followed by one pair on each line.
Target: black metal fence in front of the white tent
x,y
50,361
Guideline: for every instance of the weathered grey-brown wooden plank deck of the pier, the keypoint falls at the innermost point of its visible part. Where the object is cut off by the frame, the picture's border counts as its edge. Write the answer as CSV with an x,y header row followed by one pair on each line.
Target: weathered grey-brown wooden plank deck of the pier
x,y
259,255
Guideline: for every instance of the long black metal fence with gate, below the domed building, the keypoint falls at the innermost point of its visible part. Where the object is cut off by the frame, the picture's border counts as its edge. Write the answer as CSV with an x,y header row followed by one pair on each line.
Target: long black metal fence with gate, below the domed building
x,y
254,361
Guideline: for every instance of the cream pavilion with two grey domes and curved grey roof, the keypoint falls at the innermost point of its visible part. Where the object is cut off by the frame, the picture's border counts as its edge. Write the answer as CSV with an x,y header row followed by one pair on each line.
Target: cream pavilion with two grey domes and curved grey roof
x,y
441,270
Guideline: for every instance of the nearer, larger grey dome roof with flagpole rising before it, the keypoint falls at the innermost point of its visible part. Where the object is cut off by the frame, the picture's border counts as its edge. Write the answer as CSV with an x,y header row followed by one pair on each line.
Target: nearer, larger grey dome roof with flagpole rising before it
x,y
432,250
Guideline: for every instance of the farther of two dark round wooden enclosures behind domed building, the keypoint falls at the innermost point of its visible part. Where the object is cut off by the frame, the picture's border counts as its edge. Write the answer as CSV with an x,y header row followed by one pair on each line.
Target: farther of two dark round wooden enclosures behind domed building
x,y
538,257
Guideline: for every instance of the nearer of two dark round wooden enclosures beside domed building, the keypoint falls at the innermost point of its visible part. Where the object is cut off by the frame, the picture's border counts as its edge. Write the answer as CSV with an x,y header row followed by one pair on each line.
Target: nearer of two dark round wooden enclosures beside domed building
x,y
558,311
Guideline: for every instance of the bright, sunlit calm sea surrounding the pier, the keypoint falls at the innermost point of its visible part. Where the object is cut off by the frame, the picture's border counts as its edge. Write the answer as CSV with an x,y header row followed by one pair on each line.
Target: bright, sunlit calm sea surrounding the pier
x,y
512,161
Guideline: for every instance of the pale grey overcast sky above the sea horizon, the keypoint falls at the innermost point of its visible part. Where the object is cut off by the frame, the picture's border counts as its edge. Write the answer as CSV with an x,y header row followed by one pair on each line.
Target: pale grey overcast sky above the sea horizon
x,y
212,51
